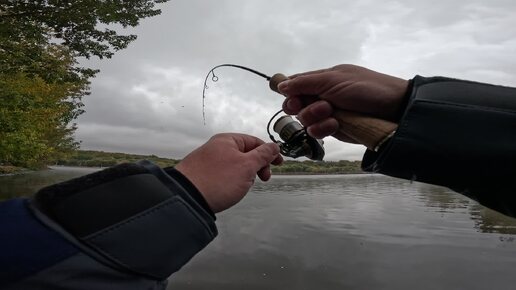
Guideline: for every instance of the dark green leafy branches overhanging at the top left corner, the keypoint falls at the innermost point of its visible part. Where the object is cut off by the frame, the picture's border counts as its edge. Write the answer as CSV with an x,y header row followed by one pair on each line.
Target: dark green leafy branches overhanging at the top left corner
x,y
77,23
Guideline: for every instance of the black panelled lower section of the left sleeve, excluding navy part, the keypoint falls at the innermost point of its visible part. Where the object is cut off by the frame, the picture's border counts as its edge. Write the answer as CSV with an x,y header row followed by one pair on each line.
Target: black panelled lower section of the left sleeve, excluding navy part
x,y
134,215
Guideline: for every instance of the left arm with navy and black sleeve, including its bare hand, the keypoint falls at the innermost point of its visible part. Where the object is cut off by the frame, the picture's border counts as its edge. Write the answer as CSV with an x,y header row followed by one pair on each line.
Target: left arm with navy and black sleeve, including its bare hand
x,y
130,226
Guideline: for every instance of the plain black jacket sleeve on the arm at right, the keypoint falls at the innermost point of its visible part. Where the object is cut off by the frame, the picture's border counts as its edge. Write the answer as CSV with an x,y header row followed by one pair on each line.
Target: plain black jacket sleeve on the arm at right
x,y
458,134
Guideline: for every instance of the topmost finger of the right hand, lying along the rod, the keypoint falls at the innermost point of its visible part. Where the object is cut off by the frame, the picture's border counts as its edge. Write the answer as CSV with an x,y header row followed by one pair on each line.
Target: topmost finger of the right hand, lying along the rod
x,y
313,84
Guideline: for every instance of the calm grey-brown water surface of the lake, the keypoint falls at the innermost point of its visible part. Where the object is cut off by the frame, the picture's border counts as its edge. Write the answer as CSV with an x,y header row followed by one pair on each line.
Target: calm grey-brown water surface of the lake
x,y
342,232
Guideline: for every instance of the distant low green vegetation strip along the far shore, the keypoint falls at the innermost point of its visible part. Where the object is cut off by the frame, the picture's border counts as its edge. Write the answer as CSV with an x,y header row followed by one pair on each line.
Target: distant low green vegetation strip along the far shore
x,y
105,159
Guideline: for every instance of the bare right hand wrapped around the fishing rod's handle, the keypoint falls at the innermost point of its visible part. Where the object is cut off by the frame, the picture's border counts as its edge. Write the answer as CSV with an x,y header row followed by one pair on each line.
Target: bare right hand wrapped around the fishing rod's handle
x,y
316,96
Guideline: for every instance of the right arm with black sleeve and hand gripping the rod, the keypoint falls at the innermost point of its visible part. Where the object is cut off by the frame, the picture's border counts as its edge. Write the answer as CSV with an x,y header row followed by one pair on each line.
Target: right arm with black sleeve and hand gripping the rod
x,y
454,133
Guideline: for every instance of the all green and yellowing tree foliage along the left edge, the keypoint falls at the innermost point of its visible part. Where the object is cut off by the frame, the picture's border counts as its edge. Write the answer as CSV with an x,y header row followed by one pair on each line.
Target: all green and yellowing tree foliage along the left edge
x,y
41,84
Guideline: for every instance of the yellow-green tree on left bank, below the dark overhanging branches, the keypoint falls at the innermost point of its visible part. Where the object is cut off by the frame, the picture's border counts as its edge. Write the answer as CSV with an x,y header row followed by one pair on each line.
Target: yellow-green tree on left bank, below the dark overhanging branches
x,y
35,113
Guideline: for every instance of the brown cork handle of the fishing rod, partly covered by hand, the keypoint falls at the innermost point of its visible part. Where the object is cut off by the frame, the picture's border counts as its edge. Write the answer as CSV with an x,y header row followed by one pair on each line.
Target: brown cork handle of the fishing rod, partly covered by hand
x,y
366,130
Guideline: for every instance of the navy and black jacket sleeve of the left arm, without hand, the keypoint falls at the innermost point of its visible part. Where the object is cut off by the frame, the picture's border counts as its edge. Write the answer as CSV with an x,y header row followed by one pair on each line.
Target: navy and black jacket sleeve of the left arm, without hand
x,y
128,222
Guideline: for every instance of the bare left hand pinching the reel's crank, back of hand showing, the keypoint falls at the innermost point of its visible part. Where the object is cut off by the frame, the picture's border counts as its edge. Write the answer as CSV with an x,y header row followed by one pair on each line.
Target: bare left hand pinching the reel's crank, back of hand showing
x,y
225,167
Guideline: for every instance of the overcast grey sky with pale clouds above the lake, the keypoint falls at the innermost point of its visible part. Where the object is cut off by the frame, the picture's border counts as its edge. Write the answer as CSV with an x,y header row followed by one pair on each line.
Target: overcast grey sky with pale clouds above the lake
x,y
147,99
